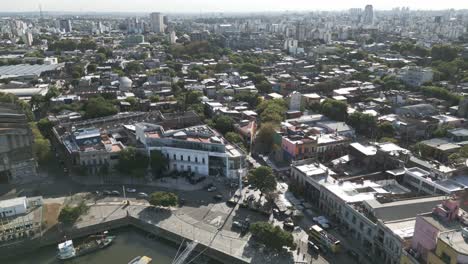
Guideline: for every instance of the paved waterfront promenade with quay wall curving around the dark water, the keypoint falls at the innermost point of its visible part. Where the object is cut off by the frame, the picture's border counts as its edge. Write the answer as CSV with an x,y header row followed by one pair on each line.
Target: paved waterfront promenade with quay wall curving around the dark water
x,y
215,244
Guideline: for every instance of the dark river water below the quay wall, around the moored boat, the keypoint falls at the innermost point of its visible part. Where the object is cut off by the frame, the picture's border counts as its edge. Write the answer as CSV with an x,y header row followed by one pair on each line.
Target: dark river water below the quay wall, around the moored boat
x,y
129,243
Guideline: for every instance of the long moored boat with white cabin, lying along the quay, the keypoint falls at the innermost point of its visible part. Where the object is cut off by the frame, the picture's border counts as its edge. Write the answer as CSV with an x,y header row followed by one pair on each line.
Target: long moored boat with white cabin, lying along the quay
x,y
67,250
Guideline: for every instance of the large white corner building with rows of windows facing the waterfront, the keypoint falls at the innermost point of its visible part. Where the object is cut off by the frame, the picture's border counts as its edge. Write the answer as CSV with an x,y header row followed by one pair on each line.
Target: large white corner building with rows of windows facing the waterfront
x,y
198,150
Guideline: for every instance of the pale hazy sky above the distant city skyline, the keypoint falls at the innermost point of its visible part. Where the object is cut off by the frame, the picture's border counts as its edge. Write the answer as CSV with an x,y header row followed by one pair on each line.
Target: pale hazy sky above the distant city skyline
x,y
220,5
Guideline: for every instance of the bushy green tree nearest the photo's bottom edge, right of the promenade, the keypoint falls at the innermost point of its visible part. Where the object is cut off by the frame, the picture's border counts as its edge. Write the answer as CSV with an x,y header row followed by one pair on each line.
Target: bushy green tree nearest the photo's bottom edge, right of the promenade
x,y
272,236
